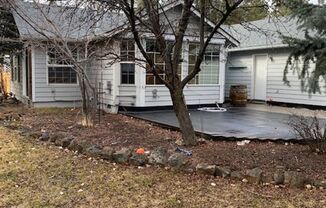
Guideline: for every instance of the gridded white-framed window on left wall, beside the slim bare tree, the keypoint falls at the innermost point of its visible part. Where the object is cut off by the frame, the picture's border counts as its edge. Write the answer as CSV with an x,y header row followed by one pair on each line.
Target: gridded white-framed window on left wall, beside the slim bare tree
x,y
59,70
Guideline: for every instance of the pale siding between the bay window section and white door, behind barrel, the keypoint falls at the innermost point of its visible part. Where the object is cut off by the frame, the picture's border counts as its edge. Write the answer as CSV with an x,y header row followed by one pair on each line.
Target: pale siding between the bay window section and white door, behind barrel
x,y
238,76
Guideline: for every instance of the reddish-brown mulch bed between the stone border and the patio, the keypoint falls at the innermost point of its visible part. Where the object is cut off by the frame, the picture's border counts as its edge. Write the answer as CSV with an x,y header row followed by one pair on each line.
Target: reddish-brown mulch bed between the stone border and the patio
x,y
123,131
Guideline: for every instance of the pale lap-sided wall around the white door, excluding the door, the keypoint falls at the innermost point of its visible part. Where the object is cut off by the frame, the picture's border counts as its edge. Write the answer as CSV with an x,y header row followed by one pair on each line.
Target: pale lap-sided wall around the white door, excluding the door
x,y
276,89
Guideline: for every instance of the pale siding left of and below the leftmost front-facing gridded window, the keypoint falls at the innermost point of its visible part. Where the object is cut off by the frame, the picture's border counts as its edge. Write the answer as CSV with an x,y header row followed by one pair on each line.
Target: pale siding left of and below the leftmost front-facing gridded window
x,y
45,92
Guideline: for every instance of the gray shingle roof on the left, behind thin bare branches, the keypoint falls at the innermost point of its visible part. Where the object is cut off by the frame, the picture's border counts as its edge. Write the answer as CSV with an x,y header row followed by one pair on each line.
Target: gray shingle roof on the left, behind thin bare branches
x,y
68,22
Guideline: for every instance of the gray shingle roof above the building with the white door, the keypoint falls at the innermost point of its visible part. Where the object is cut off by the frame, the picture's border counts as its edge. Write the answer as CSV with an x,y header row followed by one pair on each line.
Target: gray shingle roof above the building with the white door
x,y
264,33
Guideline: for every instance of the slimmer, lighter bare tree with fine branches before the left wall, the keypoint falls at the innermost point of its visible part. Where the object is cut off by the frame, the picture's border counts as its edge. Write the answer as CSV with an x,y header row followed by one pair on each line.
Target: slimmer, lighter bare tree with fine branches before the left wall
x,y
68,32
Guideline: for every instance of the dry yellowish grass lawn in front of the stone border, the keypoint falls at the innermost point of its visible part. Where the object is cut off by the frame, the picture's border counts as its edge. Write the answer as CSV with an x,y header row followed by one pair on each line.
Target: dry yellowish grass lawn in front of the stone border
x,y
36,174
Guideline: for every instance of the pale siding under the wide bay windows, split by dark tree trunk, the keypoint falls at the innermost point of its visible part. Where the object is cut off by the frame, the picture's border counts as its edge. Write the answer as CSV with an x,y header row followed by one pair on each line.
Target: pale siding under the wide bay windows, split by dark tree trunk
x,y
194,95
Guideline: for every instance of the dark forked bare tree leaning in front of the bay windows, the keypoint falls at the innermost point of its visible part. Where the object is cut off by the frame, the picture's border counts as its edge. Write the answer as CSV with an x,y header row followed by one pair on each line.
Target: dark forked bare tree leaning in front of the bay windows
x,y
150,16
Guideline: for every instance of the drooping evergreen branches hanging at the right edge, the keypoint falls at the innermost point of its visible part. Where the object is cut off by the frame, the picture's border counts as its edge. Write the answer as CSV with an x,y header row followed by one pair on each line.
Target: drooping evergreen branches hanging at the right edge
x,y
312,49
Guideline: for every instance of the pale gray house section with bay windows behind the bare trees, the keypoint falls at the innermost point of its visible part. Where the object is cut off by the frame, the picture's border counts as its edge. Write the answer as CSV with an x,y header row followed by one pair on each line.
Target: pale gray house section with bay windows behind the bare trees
x,y
41,80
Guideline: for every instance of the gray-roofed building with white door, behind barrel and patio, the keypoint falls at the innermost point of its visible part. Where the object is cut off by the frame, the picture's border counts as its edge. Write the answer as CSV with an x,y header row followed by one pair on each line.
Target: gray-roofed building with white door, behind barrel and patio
x,y
260,59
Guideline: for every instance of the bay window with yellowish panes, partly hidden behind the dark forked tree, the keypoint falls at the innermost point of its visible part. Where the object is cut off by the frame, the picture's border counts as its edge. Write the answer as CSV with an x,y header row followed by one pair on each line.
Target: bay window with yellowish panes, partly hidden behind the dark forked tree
x,y
153,52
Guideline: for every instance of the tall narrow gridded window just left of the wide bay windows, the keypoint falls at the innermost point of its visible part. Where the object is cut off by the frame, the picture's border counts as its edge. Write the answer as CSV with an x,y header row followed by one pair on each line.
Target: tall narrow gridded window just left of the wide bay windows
x,y
127,64
